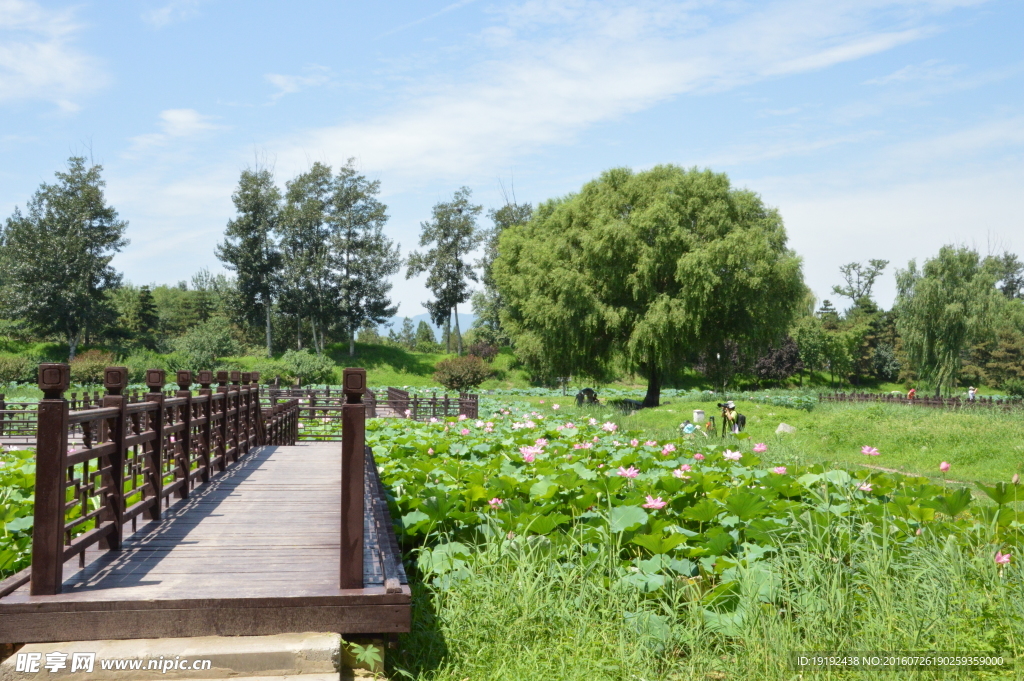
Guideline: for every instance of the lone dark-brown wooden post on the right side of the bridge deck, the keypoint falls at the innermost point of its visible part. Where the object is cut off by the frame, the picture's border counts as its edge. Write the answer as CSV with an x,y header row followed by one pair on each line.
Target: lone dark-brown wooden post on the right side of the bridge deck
x,y
354,424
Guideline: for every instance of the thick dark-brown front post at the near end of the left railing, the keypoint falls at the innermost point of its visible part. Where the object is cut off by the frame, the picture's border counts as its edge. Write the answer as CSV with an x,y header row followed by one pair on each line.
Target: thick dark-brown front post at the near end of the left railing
x,y
52,452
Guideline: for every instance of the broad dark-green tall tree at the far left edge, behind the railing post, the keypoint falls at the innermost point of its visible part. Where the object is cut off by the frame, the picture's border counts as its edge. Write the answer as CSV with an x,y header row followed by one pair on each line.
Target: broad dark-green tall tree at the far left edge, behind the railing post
x,y
57,258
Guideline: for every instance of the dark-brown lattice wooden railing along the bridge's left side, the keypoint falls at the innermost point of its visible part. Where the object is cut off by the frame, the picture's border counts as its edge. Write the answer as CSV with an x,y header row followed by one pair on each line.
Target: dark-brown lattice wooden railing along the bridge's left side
x,y
135,458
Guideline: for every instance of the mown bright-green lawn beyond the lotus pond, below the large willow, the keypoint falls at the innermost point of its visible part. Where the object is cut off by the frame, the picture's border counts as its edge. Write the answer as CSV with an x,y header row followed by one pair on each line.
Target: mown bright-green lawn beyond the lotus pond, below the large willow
x,y
982,445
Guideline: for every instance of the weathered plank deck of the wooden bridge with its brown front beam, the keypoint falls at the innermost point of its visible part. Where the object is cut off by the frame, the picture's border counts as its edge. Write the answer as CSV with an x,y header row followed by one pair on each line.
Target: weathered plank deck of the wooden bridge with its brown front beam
x,y
254,552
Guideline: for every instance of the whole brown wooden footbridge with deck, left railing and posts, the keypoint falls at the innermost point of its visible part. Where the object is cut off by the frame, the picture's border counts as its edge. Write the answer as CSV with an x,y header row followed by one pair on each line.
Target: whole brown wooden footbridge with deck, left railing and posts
x,y
196,516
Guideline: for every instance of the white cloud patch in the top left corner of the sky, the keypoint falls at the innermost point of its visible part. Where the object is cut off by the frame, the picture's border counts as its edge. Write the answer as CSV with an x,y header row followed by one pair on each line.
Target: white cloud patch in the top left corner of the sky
x,y
38,60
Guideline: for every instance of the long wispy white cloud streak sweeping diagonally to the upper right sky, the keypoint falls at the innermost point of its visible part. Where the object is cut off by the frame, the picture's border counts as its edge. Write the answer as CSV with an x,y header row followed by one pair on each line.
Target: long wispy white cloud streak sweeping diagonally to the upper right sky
x,y
536,87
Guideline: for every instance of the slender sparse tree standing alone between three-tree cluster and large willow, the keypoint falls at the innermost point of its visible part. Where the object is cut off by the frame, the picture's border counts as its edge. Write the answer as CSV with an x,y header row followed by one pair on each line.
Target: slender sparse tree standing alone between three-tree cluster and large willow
x,y
452,235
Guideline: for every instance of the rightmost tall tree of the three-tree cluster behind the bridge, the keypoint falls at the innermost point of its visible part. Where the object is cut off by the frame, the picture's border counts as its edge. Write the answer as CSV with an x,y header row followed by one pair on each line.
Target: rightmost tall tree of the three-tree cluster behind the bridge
x,y
364,258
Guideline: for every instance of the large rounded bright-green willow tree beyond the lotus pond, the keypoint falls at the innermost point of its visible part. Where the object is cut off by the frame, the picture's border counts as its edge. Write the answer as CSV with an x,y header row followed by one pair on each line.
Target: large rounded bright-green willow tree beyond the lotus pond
x,y
647,271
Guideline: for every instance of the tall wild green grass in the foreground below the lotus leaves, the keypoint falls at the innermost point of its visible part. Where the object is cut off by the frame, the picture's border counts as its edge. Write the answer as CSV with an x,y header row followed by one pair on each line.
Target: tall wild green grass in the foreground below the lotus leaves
x,y
519,613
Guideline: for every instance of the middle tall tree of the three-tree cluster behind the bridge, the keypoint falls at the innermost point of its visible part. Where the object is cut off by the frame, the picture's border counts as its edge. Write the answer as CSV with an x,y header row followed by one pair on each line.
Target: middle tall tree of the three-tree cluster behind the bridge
x,y
309,290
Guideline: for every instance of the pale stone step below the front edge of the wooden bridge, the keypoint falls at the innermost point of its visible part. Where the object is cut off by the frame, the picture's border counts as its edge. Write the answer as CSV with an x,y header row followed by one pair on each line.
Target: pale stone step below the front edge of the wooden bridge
x,y
310,657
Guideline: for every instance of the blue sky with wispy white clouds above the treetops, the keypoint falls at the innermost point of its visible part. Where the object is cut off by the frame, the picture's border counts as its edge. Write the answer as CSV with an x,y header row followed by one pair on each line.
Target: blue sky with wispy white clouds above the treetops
x,y
879,130
